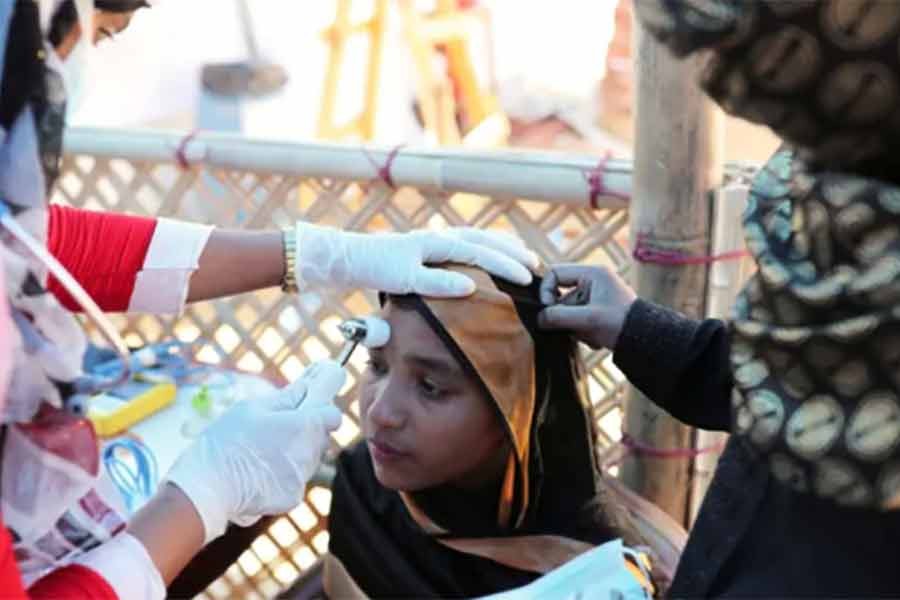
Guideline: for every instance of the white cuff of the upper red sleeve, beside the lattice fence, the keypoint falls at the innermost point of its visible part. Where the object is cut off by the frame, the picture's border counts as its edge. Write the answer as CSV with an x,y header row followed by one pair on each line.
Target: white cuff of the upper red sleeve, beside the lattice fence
x,y
161,285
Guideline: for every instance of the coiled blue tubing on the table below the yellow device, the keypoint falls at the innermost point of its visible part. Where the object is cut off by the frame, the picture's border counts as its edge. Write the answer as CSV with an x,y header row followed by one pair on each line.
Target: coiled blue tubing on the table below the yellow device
x,y
132,467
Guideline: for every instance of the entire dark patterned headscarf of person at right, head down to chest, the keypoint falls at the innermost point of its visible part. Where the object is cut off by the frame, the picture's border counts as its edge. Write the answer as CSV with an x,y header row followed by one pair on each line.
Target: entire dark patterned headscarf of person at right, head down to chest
x,y
816,333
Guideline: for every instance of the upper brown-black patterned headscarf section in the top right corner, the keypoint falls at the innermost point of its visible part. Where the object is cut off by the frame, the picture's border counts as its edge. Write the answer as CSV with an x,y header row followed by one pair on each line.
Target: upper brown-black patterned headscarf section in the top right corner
x,y
823,74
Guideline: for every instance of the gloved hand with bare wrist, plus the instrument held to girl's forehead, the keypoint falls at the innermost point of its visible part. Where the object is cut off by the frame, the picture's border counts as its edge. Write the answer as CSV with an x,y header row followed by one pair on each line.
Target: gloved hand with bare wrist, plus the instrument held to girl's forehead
x,y
255,460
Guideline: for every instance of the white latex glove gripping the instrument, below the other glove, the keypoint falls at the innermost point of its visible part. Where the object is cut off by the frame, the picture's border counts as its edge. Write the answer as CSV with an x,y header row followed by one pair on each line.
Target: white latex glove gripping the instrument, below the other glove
x,y
257,458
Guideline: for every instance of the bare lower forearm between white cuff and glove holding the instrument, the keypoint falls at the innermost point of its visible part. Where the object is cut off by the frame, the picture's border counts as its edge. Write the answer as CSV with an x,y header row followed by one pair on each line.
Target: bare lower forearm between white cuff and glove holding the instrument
x,y
170,529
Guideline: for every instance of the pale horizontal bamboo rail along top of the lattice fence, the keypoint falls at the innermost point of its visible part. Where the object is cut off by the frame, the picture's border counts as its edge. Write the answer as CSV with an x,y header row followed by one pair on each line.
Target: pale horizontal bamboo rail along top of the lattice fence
x,y
551,177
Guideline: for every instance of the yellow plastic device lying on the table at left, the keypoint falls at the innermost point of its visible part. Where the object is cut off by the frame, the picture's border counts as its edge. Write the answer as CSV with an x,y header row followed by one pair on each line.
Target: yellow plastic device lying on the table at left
x,y
115,412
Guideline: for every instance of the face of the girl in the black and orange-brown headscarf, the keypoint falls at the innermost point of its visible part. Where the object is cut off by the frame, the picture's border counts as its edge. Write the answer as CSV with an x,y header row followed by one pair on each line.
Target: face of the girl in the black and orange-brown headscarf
x,y
425,420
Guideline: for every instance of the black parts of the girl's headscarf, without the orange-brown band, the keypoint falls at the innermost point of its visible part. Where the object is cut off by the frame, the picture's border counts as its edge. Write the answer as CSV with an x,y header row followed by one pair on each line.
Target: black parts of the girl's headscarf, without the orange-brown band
x,y
388,554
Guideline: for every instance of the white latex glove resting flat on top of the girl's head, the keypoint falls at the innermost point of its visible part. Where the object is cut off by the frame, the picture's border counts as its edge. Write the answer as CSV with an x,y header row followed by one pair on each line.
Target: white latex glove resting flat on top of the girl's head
x,y
396,262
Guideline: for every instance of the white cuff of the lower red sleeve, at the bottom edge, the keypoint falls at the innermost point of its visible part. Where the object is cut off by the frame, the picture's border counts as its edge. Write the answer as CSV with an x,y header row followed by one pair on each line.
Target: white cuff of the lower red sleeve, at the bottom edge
x,y
127,567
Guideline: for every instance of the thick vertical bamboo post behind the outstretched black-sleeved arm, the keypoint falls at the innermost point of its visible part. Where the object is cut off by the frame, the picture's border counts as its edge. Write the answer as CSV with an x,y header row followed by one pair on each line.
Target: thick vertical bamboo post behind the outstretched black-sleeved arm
x,y
677,164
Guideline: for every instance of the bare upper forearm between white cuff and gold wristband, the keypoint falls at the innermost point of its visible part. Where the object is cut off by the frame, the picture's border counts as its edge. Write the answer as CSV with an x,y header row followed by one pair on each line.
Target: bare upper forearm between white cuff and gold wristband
x,y
234,262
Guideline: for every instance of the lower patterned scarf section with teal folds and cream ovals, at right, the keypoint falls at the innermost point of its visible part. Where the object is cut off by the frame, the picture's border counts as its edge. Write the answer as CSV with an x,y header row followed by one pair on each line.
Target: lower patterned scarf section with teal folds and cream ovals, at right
x,y
816,335
